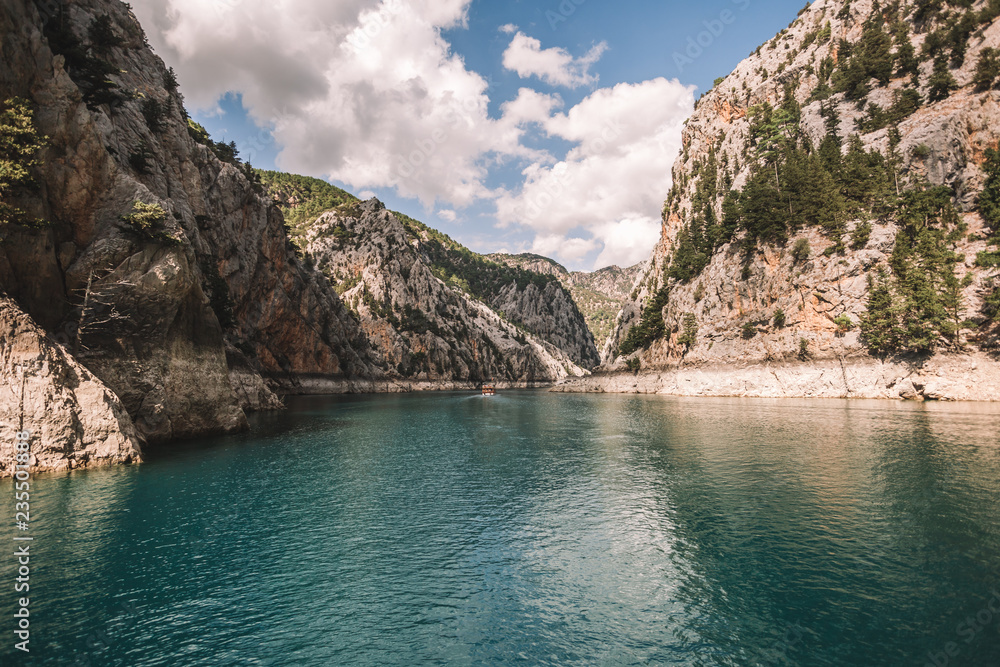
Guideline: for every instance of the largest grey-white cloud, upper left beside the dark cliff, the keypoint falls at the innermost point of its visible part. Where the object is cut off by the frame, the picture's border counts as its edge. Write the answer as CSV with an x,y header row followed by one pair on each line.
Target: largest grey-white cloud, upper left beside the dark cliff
x,y
364,92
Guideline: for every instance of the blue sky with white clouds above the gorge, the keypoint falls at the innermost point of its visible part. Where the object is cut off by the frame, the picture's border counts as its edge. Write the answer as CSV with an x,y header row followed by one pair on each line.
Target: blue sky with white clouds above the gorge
x,y
547,127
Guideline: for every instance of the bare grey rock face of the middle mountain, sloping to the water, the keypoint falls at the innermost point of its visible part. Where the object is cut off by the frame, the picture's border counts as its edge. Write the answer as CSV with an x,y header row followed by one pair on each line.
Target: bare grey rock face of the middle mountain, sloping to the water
x,y
417,324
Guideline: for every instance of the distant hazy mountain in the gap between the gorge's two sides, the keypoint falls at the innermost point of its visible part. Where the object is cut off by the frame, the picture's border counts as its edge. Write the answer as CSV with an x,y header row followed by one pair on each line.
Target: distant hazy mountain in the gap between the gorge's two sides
x,y
599,294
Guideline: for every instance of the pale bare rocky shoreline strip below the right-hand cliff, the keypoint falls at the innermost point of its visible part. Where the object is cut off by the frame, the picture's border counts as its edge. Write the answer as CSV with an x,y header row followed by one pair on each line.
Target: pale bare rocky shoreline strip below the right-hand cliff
x,y
967,377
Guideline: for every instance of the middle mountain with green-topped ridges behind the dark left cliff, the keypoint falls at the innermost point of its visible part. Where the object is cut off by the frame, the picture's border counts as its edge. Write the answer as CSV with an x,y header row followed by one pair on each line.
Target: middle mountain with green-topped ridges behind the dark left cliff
x,y
532,301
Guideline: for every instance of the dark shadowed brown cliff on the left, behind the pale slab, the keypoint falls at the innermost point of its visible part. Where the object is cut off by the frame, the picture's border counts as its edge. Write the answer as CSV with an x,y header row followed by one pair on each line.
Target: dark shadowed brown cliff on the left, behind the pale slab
x,y
153,311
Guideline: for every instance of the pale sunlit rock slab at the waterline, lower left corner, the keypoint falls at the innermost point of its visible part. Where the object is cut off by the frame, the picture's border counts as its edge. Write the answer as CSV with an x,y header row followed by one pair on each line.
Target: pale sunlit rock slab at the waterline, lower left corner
x,y
75,421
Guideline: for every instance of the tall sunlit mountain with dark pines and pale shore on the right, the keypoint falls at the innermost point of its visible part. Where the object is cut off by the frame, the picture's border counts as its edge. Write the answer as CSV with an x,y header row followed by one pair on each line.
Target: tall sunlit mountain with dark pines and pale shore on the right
x,y
832,228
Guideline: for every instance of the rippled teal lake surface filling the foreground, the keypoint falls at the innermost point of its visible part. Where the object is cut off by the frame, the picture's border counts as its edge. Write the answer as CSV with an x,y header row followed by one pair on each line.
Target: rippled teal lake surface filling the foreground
x,y
532,529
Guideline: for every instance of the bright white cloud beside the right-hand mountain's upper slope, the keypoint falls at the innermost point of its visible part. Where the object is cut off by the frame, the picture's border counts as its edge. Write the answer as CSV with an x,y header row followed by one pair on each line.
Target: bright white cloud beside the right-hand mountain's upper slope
x,y
611,185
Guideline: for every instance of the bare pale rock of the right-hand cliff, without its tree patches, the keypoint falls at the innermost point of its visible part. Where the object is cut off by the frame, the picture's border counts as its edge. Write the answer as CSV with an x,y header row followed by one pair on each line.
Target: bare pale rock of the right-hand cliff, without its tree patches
x,y
767,303
